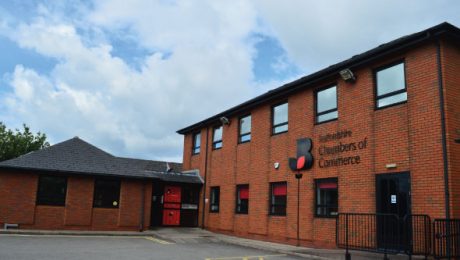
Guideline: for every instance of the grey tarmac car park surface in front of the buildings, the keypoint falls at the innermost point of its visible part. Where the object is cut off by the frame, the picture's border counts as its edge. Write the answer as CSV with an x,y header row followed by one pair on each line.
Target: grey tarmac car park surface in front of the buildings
x,y
162,243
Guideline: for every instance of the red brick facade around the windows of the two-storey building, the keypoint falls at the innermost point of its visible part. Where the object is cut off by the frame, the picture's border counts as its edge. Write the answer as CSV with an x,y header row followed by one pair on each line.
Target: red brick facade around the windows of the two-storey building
x,y
408,135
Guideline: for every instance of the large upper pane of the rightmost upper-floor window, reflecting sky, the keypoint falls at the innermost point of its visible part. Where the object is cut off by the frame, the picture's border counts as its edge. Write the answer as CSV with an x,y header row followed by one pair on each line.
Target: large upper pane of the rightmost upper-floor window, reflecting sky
x,y
390,79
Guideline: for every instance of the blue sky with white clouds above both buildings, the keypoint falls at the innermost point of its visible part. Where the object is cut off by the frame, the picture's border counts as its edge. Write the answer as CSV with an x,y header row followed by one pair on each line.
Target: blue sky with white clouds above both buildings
x,y
126,77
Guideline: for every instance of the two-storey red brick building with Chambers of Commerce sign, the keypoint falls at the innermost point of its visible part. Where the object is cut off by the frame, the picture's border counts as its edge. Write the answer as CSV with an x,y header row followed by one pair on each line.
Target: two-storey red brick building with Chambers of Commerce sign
x,y
381,128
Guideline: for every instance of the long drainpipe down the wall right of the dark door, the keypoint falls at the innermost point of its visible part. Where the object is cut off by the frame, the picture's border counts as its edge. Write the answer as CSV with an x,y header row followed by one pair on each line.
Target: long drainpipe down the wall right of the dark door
x,y
444,147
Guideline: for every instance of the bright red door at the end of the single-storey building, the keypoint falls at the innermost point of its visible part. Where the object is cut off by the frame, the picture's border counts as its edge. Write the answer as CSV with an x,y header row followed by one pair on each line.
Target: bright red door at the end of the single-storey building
x,y
171,206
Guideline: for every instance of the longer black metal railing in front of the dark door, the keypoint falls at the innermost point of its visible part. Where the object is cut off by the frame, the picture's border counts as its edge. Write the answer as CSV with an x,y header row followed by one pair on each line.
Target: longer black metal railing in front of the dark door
x,y
384,233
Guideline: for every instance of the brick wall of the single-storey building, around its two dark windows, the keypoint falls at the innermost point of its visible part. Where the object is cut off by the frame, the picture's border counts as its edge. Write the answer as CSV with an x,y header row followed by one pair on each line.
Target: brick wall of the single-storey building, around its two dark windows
x,y
18,195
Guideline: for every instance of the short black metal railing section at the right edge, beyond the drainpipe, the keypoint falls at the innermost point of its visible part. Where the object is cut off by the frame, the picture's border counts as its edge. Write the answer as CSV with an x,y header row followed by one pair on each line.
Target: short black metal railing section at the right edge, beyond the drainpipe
x,y
446,238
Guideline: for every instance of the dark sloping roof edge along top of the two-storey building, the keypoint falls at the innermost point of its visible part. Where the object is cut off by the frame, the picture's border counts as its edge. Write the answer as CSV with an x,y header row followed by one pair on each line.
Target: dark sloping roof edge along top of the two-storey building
x,y
402,43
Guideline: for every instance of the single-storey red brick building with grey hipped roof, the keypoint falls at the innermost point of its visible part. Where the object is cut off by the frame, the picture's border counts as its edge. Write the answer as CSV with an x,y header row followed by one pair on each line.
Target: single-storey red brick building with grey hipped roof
x,y
76,186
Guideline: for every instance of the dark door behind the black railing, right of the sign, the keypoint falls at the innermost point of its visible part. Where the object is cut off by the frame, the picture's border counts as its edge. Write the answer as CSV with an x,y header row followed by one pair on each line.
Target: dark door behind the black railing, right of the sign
x,y
393,208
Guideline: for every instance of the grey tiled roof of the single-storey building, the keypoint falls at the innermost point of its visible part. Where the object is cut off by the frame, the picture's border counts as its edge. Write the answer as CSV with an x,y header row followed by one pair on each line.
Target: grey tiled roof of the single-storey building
x,y
79,157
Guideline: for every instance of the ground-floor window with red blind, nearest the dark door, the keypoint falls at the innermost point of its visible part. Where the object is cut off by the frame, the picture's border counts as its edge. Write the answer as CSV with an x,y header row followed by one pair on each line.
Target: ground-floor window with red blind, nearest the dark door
x,y
326,198
